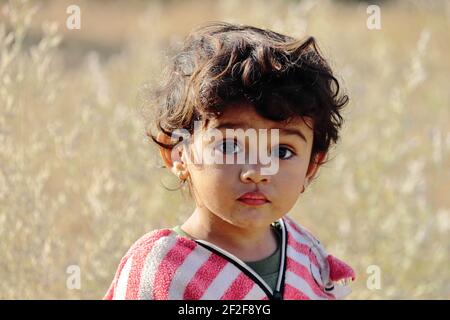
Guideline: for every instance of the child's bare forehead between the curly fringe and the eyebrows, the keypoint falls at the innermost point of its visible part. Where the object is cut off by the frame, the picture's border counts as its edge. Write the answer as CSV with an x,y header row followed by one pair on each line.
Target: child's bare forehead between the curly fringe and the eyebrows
x,y
244,115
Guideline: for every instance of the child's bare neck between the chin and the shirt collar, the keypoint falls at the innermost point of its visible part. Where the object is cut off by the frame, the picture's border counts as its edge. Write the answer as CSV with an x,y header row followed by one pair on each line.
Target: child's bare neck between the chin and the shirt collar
x,y
248,244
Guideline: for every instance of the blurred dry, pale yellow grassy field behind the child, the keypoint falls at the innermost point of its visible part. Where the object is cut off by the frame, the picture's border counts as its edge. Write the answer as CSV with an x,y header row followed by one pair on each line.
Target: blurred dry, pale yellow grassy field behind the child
x,y
79,181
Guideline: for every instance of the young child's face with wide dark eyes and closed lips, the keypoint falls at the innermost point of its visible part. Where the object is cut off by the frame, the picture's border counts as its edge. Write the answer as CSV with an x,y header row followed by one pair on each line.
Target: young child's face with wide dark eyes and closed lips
x,y
218,187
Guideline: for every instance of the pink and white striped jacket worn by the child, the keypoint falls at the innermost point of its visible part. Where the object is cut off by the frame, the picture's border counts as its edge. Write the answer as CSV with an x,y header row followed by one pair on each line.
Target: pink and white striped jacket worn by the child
x,y
162,265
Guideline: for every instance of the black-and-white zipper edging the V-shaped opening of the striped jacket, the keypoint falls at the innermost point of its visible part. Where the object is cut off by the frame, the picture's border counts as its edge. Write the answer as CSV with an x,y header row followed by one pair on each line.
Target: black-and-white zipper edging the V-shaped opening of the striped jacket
x,y
272,294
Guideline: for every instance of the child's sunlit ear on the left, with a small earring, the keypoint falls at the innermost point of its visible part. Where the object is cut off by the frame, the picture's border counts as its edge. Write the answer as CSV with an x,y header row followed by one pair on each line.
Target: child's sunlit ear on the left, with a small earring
x,y
172,158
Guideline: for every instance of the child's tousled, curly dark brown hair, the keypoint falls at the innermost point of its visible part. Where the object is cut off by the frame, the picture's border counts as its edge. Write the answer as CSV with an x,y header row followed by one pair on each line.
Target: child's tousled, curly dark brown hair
x,y
282,77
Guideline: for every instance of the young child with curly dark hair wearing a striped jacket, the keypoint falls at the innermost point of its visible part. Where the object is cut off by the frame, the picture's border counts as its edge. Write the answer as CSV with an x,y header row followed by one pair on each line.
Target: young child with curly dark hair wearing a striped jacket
x,y
239,243
